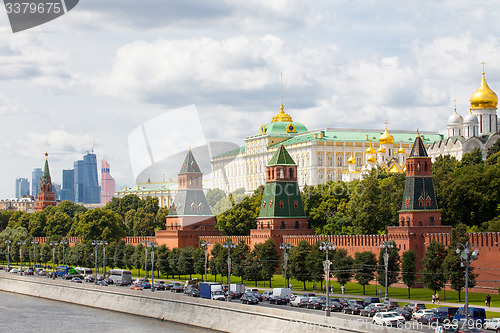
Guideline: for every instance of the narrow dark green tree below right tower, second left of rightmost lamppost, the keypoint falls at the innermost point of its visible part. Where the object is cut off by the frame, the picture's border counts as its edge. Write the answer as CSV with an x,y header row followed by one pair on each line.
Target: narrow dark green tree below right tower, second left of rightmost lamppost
x,y
433,274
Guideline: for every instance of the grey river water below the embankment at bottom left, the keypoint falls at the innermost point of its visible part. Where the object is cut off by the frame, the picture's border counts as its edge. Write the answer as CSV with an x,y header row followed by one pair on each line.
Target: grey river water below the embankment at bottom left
x,y
20,313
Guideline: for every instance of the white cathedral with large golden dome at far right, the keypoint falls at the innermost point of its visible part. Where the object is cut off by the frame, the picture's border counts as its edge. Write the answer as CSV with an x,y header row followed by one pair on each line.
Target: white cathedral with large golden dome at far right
x,y
478,129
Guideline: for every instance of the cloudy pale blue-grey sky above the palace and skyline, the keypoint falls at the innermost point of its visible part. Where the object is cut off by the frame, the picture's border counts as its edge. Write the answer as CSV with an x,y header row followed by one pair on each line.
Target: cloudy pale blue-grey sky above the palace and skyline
x,y
106,70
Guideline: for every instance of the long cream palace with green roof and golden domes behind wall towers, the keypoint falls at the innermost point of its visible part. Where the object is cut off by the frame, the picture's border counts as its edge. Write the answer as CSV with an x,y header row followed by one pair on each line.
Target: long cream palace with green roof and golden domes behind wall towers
x,y
321,155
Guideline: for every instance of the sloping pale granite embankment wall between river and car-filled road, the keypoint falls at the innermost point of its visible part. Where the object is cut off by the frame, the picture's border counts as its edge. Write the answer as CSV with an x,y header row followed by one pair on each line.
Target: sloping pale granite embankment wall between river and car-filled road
x,y
221,316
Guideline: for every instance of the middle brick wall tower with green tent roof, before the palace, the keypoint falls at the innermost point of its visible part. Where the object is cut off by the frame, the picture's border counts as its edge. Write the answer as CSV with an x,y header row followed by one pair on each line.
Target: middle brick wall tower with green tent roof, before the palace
x,y
281,206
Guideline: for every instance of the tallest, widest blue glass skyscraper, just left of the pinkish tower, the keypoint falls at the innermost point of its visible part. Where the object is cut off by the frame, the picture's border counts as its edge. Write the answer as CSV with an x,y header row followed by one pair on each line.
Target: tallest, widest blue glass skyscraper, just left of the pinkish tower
x,y
87,189
